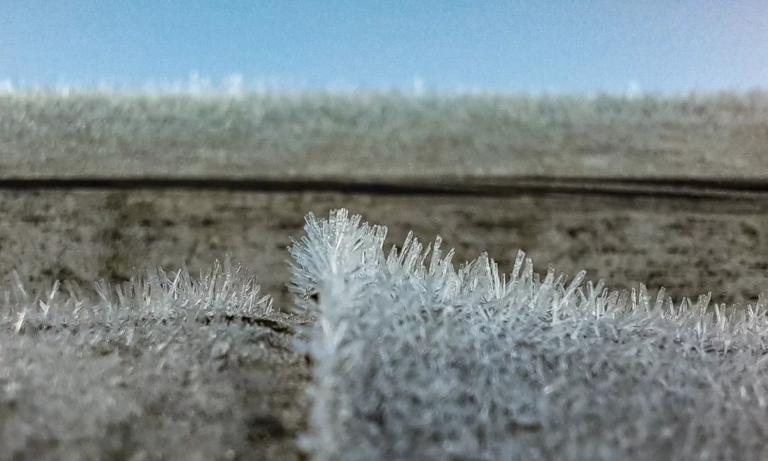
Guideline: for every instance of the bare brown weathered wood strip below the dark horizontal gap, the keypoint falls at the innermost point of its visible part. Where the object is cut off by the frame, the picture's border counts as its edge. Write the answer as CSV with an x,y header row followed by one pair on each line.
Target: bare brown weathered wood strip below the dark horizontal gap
x,y
688,245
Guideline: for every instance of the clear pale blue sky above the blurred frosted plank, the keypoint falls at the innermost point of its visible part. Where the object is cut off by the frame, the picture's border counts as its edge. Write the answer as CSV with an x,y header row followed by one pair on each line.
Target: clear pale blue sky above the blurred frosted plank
x,y
556,46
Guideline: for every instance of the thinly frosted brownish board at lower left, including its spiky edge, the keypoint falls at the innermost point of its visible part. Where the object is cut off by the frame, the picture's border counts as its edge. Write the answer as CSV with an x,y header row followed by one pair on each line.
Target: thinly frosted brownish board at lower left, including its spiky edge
x,y
167,366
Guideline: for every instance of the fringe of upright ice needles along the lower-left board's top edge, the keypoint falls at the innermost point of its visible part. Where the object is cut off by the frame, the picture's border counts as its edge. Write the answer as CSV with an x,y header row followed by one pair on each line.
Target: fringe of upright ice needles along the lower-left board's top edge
x,y
225,292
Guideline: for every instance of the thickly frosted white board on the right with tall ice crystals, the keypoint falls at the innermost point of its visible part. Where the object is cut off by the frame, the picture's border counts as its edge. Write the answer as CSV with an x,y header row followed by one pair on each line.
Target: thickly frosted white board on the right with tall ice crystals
x,y
415,359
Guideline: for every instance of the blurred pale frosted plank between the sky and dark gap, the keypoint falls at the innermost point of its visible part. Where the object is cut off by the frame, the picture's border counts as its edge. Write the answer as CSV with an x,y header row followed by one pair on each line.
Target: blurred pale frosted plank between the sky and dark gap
x,y
372,138
